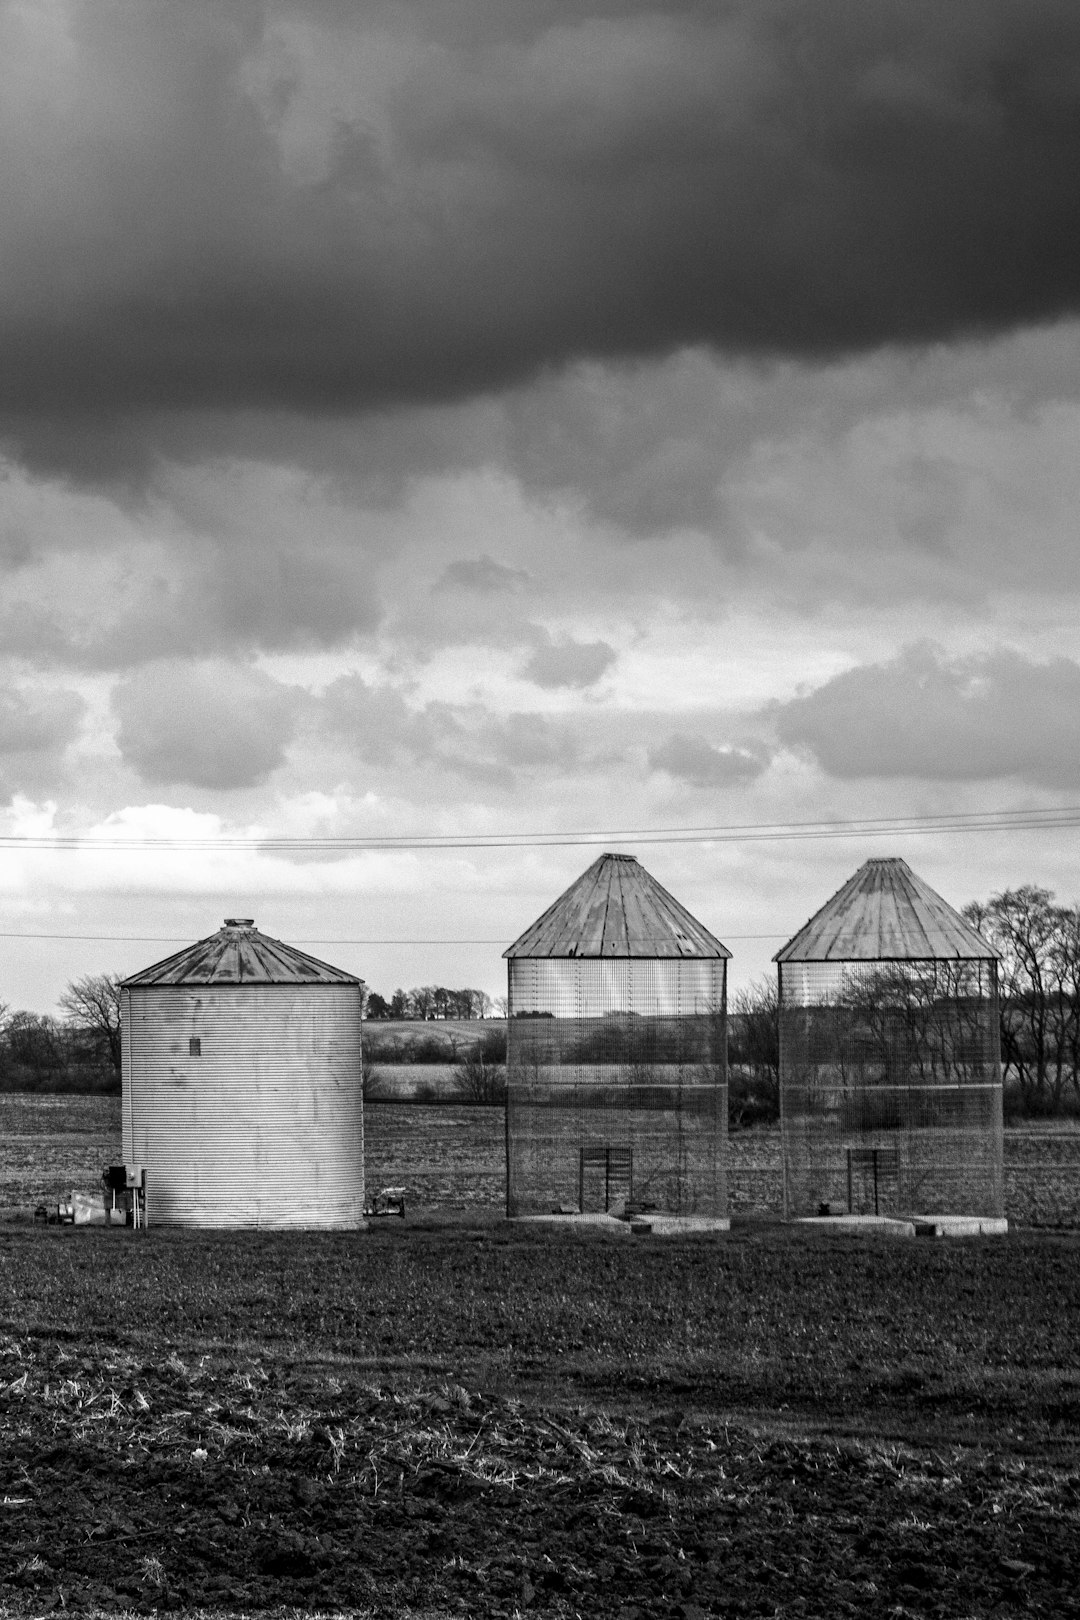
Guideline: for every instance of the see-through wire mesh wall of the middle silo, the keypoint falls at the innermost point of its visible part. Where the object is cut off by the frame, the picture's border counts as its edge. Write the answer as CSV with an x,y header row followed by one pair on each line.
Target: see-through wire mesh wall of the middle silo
x,y
619,1064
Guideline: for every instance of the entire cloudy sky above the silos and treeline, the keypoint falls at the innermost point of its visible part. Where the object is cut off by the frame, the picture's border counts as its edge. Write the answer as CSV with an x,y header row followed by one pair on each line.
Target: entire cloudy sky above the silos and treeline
x,y
495,419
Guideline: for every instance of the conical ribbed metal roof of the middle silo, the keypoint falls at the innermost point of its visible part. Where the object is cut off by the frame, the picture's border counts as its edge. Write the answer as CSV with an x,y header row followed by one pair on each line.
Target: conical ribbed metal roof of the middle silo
x,y
616,910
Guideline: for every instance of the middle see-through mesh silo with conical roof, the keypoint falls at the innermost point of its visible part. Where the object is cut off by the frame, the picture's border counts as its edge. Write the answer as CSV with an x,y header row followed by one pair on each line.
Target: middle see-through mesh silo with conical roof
x,y
618,1054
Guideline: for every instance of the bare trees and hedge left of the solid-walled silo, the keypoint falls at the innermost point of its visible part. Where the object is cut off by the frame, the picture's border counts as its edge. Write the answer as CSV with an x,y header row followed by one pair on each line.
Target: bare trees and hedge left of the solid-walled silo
x,y
79,1052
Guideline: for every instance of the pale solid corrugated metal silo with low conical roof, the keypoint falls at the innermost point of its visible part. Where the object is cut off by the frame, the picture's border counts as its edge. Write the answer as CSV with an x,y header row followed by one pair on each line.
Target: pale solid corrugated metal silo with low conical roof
x,y
242,1085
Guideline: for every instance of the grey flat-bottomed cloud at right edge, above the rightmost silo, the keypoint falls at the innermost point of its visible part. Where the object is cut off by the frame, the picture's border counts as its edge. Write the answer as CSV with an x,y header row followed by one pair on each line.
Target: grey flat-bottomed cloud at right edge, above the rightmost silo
x,y
925,715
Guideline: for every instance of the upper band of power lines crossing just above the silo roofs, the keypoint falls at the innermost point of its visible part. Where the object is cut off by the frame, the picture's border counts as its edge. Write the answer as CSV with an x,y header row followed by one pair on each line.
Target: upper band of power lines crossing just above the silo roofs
x,y
739,832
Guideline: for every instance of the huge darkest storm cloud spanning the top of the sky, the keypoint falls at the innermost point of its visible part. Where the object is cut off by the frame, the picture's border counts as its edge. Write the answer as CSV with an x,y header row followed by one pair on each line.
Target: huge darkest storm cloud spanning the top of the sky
x,y
341,208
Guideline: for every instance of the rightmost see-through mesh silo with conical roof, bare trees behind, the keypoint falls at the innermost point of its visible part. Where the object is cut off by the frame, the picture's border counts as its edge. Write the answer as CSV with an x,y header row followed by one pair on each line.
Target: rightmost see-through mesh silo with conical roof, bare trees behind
x,y
891,1055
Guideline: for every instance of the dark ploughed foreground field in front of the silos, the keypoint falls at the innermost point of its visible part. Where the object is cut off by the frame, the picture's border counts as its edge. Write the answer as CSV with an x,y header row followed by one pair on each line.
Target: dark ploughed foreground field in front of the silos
x,y
477,1418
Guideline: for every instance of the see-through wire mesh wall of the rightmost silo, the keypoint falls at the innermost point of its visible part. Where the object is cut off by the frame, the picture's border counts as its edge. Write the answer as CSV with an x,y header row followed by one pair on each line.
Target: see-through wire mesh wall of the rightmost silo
x,y
891,1088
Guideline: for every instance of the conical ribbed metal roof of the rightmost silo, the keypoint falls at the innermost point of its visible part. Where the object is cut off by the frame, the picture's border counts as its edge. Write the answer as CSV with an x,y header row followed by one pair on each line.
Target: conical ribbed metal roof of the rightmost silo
x,y
887,914
